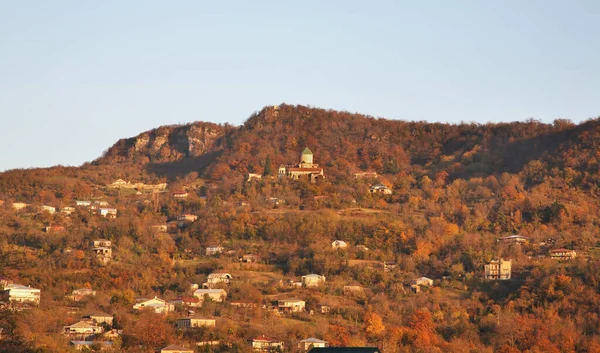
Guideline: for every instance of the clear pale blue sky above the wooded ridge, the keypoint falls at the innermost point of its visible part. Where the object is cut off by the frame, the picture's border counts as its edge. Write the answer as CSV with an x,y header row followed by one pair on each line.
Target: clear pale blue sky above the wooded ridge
x,y
76,76
